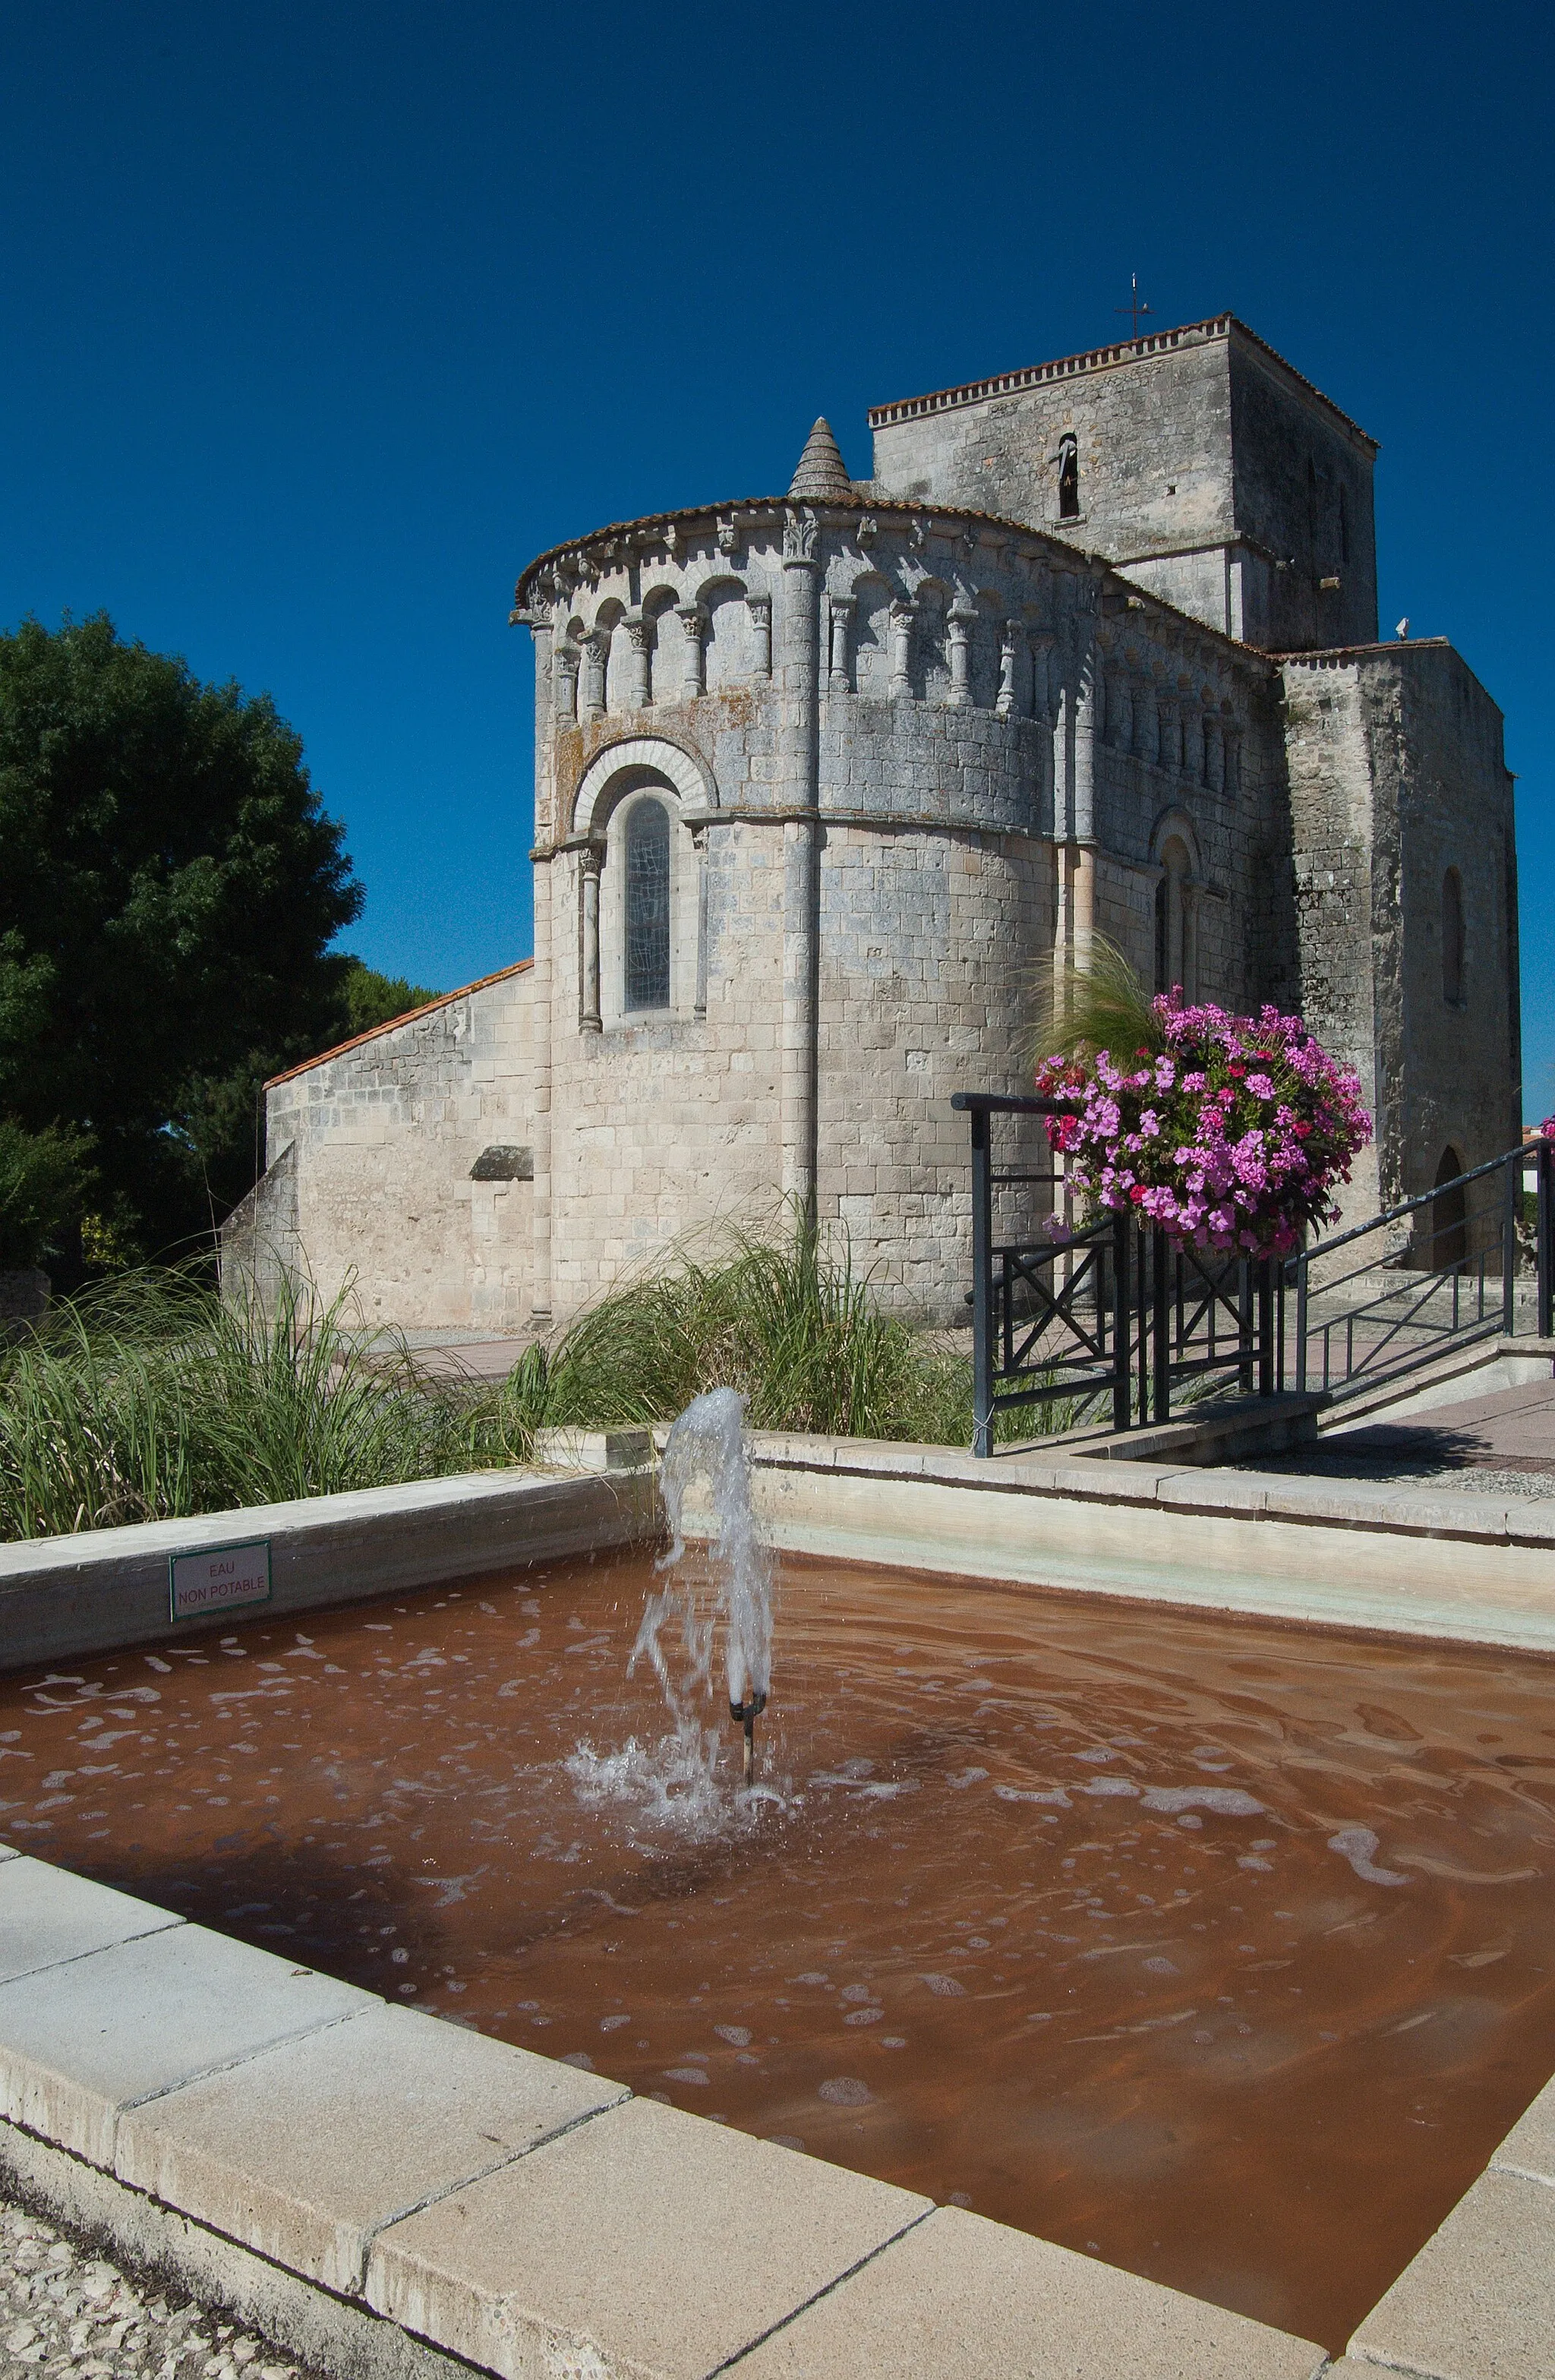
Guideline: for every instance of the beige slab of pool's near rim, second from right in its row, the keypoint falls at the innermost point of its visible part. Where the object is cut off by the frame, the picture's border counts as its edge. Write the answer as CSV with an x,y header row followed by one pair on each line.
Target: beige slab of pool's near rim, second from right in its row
x,y
642,2243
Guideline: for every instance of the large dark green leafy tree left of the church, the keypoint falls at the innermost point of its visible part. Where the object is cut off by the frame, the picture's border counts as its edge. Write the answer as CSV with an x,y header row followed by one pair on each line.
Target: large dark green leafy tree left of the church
x,y
168,896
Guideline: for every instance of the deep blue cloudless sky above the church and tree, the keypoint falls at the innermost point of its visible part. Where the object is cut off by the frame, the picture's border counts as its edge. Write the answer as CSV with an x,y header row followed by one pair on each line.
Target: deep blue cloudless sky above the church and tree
x,y
325,320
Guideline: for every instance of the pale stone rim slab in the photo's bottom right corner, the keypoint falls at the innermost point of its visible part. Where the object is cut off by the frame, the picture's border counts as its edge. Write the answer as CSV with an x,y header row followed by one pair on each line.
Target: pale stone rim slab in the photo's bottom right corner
x,y
1480,2298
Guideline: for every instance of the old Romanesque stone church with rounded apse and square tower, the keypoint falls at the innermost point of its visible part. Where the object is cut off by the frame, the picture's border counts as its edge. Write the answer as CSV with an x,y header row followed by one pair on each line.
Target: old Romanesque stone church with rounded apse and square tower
x,y
830,779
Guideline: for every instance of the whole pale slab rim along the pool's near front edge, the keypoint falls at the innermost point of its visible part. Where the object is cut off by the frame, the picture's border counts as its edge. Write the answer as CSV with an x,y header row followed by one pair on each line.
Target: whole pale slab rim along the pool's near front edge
x,y
394,2198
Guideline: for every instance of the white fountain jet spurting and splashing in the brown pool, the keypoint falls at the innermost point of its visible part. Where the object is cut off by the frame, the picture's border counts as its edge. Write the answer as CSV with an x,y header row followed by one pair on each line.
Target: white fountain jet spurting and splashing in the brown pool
x,y
699,1610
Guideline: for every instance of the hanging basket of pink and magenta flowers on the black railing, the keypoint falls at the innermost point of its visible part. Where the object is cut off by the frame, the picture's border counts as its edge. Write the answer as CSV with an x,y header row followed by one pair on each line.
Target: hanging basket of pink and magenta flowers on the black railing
x,y
1225,1132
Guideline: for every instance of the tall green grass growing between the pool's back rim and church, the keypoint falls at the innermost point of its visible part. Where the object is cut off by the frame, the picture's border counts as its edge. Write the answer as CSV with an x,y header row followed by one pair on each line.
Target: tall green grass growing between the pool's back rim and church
x,y
151,1401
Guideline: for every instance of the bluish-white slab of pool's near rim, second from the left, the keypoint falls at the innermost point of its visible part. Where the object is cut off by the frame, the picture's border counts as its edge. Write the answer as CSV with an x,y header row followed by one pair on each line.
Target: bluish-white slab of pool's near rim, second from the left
x,y
89,2038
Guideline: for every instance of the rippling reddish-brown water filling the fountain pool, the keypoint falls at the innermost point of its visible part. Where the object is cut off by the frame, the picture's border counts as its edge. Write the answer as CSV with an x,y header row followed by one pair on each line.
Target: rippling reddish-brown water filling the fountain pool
x,y
1011,1929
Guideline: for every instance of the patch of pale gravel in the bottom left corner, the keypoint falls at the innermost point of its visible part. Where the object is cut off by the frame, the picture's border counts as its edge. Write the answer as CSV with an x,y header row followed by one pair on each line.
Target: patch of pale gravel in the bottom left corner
x,y
65,2310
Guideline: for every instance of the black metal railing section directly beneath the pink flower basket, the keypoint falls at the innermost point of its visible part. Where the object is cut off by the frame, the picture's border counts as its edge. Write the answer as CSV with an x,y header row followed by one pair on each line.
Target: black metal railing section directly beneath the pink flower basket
x,y
1109,1317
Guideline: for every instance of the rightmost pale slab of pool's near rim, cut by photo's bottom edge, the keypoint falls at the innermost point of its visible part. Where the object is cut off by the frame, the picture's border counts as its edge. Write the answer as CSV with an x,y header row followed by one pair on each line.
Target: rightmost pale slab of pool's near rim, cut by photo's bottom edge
x,y
970,2300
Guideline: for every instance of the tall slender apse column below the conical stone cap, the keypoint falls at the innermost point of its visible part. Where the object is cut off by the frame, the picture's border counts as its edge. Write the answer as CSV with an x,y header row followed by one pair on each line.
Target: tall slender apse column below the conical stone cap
x,y
801,687
